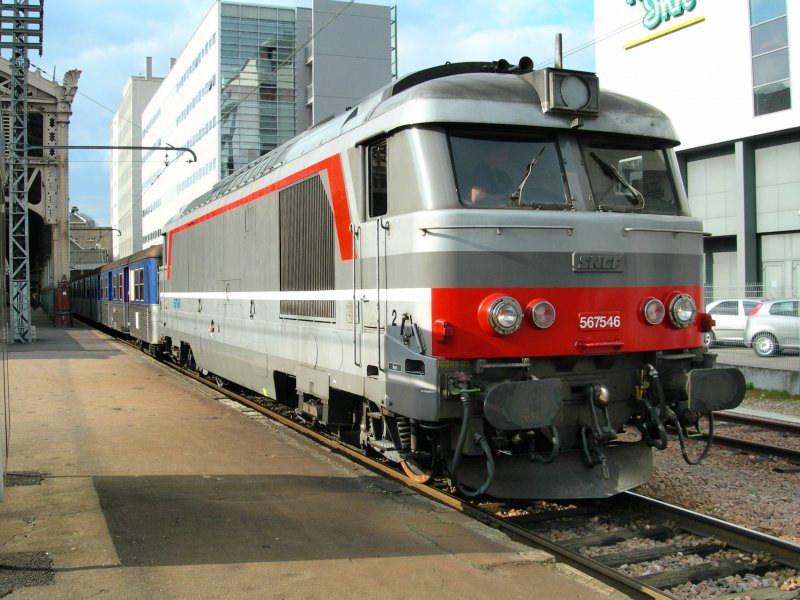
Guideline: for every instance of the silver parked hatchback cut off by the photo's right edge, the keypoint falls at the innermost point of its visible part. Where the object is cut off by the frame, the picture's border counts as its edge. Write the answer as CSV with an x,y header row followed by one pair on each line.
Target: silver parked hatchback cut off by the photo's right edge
x,y
774,326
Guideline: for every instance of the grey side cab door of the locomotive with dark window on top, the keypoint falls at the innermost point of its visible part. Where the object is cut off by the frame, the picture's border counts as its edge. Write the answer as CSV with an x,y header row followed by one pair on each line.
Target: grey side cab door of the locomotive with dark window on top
x,y
371,265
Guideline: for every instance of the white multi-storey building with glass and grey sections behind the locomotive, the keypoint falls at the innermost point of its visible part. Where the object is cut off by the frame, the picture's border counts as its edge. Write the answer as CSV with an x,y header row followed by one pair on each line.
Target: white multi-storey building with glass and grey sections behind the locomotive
x,y
251,77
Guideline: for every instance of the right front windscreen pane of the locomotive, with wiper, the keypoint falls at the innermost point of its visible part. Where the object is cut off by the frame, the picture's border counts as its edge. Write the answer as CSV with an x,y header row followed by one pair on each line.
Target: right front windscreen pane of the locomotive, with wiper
x,y
628,176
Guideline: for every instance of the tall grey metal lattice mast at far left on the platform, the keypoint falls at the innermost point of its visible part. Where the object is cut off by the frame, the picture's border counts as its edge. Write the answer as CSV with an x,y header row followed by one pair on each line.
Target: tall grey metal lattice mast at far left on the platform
x,y
21,24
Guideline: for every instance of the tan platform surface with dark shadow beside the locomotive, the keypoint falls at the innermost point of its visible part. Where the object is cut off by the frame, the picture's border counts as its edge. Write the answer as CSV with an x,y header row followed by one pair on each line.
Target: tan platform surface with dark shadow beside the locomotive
x,y
156,488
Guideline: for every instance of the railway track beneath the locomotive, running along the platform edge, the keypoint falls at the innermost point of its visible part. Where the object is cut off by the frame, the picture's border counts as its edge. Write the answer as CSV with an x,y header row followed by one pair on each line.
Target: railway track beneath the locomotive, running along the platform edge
x,y
673,549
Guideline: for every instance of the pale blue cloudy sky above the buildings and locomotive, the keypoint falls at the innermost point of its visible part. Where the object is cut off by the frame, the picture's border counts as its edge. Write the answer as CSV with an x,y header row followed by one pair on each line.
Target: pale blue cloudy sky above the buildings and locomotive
x,y
108,40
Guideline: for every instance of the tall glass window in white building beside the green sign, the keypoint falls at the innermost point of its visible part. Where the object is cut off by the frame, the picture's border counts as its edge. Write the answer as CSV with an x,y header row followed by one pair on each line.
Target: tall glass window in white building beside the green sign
x,y
769,42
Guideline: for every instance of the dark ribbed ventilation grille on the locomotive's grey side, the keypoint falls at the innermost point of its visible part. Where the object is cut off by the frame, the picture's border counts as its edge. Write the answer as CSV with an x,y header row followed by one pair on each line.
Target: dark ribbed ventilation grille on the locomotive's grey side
x,y
307,247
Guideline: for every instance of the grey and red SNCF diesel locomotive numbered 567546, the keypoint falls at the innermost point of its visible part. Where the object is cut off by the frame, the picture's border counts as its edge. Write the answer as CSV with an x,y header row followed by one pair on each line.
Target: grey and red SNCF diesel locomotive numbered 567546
x,y
483,271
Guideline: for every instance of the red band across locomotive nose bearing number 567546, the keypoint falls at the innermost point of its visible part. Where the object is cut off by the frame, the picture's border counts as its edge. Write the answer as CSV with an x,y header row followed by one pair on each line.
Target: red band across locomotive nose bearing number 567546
x,y
588,321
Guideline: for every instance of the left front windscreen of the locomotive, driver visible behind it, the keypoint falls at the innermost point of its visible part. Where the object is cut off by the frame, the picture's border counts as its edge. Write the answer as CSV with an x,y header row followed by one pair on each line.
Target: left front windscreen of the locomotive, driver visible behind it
x,y
506,172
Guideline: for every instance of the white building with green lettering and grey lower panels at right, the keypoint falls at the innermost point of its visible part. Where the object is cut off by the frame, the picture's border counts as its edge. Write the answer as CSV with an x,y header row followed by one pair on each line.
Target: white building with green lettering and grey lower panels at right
x,y
728,75
